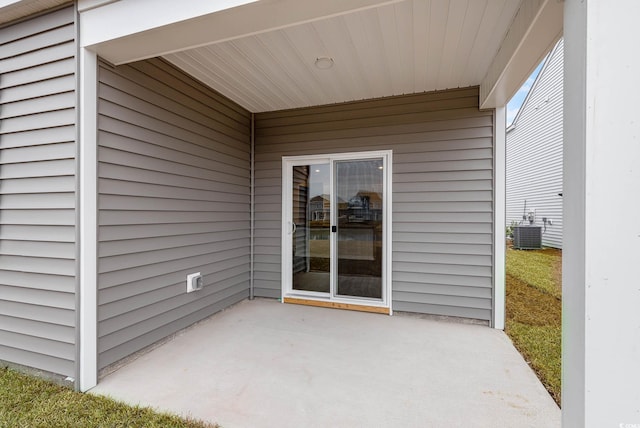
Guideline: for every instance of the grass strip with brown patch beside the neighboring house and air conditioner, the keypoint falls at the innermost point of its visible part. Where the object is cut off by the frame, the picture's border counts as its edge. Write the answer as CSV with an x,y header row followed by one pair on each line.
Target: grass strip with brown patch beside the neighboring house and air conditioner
x,y
534,311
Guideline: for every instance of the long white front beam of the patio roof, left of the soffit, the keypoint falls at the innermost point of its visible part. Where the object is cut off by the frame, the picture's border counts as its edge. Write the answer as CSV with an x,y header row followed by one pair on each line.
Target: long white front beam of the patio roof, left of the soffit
x,y
130,30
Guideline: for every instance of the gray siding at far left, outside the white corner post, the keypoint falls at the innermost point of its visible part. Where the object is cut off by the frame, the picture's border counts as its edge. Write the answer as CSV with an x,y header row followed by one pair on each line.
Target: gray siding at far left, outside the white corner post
x,y
37,192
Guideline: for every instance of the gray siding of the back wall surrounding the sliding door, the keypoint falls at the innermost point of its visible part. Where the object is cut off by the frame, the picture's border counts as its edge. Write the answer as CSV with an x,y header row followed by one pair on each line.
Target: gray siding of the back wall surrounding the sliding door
x,y
442,191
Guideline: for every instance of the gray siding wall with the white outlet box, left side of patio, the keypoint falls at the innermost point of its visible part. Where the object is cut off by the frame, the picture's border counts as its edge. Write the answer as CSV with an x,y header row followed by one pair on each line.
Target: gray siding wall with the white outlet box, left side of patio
x,y
174,199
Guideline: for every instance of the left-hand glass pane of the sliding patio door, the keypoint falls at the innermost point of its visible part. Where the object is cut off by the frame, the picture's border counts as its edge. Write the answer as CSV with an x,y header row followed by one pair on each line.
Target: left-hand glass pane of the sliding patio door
x,y
312,225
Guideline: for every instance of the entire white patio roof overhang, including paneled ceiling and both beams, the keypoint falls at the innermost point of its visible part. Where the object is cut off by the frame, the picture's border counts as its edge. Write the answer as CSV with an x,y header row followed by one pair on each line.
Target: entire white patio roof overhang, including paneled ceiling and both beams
x,y
261,54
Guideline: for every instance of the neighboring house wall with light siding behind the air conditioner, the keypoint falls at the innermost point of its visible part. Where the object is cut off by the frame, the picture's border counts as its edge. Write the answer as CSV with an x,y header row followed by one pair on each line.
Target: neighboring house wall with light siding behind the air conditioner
x,y
534,153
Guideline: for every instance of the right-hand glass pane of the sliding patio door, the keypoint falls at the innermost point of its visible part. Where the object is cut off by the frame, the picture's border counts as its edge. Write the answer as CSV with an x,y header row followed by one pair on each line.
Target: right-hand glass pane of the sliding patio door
x,y
359,187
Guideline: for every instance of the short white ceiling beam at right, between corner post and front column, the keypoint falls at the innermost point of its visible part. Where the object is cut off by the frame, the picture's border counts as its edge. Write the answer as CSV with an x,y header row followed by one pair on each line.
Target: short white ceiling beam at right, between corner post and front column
x,y
534,31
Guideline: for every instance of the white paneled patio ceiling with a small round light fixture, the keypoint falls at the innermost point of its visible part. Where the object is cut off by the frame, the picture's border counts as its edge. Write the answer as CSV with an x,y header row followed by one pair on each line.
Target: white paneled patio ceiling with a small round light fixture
x,y
407,47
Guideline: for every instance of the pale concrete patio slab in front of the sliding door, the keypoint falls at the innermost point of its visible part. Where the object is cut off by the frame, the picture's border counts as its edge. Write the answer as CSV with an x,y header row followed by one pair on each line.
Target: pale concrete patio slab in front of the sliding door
x,y
266,364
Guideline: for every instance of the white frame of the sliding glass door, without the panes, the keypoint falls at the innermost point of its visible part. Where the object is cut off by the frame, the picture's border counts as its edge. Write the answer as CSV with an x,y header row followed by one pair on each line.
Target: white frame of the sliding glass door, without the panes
x,y
288,162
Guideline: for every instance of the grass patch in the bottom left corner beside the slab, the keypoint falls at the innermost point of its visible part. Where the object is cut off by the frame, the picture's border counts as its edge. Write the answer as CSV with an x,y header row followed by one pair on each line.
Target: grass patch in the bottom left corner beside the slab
x,y
26,401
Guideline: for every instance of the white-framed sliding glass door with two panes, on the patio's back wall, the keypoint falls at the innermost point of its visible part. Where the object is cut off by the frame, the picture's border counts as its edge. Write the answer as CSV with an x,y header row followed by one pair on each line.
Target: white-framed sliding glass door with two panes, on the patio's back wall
x,y
334,227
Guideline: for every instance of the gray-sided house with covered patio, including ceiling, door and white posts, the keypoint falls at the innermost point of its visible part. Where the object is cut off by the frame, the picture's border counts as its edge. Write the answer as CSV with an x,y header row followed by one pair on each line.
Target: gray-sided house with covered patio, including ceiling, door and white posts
x,y
139,145
